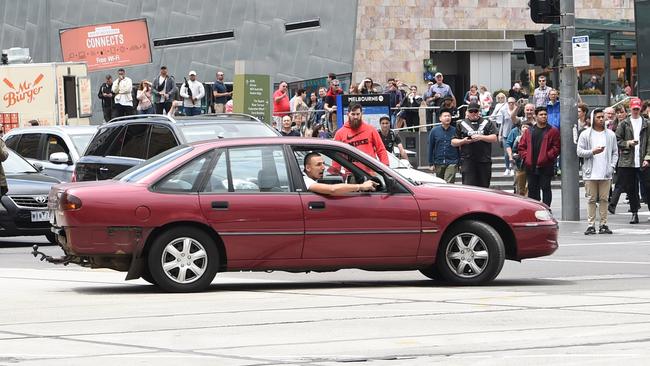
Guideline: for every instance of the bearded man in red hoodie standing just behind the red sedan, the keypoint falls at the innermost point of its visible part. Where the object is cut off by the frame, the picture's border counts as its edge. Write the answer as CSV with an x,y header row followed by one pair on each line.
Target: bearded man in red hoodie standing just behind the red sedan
x,y
361,135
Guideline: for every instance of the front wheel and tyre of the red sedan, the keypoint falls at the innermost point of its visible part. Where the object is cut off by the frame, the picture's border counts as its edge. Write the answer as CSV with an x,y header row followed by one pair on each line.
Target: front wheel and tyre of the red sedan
x,y
470,253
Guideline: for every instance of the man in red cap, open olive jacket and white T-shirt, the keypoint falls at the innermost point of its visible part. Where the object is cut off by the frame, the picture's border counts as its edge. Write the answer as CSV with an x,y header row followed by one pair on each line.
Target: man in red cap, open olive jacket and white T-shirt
x,y
632,140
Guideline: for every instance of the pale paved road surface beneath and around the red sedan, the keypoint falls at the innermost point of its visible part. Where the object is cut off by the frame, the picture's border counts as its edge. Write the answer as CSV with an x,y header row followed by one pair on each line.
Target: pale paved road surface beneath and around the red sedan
x,y
587,304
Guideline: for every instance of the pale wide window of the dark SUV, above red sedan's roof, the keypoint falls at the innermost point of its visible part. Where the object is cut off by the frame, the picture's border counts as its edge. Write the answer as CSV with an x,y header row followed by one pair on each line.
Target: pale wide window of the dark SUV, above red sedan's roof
x,y
209,131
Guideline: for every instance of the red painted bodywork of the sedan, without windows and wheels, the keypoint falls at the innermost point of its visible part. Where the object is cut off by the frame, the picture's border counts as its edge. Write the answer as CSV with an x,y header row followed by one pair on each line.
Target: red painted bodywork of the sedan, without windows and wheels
x,y
263,231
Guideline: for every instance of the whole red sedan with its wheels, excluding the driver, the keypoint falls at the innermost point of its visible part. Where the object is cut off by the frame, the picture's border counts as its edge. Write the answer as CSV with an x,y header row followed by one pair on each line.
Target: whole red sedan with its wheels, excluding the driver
x,y
243,204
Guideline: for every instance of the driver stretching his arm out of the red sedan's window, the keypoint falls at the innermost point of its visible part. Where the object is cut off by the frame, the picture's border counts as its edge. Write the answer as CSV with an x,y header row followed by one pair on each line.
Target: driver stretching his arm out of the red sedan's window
x,y
314,168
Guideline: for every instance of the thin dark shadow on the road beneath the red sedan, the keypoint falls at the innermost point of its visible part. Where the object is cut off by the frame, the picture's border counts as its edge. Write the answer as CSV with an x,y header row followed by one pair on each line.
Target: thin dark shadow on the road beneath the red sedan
x,y
288,286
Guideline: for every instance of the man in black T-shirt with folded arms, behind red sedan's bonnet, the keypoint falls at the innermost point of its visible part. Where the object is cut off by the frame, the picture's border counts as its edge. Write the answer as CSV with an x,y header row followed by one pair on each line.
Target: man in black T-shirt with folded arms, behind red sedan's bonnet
x,y
475,136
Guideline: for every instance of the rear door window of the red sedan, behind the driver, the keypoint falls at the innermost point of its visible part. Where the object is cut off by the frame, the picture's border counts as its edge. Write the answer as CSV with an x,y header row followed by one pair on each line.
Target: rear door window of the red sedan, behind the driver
x,y
252,169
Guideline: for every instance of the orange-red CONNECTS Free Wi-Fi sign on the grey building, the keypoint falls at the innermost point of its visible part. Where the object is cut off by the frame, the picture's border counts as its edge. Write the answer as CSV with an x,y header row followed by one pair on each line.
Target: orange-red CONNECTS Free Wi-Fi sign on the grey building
x,y
107,46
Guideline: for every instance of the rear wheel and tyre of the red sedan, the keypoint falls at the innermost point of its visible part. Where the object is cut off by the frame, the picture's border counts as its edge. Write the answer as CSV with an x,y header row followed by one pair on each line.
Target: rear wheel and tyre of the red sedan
x,y
183,259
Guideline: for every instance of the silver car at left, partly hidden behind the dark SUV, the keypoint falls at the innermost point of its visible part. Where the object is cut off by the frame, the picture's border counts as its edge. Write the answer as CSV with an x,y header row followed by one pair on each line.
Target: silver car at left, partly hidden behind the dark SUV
x,y
55,148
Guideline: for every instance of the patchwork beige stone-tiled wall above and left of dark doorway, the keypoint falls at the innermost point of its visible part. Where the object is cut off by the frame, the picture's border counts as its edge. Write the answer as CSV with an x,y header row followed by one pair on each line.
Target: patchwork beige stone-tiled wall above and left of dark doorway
x,y
392,36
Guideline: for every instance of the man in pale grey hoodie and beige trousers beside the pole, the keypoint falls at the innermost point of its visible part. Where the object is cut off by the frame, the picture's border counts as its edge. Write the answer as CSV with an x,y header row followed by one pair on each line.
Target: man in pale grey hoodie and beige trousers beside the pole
x,y
597,146
